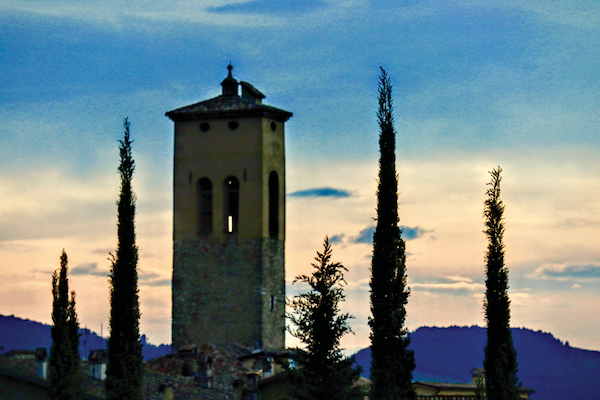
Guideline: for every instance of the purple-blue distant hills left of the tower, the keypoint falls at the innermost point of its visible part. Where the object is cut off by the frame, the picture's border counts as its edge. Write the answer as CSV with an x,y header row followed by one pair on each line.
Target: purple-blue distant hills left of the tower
x,y
23,334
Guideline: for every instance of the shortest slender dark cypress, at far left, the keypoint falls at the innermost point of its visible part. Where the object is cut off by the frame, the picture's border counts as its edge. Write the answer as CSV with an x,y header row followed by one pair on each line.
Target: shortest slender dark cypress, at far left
x,y
64,373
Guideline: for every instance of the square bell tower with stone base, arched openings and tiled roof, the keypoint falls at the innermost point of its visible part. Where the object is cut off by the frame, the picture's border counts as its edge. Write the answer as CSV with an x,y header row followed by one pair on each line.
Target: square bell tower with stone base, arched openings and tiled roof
x,y
229,220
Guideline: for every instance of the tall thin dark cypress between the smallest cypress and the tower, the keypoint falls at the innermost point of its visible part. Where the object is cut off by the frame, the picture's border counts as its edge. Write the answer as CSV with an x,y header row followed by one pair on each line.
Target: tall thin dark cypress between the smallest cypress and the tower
x,y
124,372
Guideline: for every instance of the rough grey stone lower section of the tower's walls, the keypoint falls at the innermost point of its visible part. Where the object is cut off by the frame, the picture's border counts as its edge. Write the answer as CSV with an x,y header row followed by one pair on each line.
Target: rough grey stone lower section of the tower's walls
x,y
222,293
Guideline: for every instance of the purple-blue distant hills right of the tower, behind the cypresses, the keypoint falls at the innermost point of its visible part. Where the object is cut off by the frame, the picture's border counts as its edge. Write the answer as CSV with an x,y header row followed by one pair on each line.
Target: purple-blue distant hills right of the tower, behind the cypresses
x,y
553,369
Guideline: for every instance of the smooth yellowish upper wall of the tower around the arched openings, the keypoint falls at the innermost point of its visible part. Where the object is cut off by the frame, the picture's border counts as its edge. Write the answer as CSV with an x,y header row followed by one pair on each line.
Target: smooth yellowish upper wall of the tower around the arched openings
x,y
249,153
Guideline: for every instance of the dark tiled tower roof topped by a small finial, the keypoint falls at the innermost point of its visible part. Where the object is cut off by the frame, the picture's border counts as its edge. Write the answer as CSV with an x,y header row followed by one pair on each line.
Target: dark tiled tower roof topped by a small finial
x,y
230,104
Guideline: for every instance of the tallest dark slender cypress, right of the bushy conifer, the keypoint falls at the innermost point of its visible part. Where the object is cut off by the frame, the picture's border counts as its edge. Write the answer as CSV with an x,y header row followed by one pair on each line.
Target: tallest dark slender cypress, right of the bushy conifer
x,y
392,362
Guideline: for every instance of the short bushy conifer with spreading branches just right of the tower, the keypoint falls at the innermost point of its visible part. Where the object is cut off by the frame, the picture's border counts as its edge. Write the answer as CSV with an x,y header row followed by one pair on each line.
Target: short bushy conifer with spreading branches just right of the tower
x,y
323,372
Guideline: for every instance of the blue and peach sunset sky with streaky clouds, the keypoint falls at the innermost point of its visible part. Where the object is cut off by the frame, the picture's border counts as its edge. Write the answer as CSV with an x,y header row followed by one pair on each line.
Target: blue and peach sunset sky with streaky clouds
x,y
476,85
